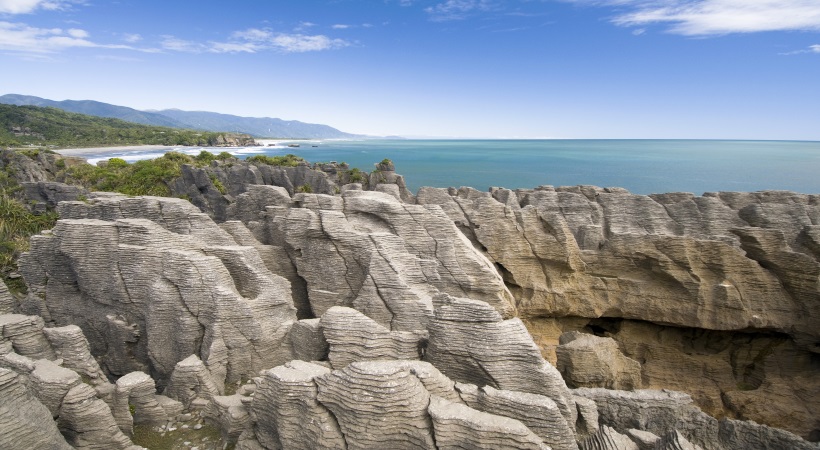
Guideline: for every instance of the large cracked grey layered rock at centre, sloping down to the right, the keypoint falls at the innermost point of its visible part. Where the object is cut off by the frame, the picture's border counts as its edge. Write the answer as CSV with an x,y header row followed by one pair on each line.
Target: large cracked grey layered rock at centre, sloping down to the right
x,y
369,251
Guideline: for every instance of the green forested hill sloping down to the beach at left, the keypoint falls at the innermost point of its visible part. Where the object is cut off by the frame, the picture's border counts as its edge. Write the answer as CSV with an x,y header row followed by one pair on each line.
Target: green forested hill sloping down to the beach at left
x,y
23,126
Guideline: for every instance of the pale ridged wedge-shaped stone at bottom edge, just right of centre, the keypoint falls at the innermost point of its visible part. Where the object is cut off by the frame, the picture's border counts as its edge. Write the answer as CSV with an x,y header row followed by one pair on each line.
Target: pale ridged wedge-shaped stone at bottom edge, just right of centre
x,y
458,426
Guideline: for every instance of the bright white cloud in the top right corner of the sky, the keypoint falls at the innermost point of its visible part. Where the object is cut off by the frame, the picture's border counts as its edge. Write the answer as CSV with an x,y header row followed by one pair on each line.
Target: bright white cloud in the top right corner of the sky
x,y
716,17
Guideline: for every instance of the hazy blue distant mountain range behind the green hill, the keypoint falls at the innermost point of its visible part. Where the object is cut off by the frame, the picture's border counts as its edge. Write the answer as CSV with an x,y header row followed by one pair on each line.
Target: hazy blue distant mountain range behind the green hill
x,y
198,120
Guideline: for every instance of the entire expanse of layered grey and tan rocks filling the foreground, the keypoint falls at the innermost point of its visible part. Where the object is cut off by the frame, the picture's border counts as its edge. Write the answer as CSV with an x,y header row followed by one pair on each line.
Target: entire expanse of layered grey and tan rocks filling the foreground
x,y
358,315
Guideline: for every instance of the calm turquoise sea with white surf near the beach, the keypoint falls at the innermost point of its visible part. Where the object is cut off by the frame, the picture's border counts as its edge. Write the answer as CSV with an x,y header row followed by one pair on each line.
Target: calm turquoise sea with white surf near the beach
x,y
641,166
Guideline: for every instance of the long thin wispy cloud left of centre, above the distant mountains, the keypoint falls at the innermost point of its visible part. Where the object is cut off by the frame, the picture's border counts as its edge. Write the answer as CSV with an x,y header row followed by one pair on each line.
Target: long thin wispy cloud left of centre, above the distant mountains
x,y
254,40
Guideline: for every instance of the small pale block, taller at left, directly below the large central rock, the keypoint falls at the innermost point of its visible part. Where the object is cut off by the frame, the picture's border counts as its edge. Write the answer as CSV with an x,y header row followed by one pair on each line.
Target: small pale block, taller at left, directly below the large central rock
x,y
352,336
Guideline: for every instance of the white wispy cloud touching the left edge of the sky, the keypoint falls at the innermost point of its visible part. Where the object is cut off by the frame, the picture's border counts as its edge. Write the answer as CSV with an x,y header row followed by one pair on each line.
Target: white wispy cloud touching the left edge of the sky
x,y
21,38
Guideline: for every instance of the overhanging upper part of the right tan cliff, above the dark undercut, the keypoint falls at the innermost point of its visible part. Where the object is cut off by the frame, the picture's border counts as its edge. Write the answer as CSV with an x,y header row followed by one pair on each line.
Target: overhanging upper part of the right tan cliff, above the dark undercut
x,y
591,252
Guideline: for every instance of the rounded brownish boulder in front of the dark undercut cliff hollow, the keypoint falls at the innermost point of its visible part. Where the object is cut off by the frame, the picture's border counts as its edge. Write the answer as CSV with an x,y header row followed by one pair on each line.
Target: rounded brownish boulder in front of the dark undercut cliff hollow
x,y
586,360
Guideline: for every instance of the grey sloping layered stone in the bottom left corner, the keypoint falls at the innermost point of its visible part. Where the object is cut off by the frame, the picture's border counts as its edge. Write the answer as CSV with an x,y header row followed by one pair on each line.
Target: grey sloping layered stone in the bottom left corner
x,y
24,421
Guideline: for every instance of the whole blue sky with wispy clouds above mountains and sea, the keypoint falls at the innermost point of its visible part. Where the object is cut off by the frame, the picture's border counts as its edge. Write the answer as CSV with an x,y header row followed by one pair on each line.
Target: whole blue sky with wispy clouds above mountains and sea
x,y
723,69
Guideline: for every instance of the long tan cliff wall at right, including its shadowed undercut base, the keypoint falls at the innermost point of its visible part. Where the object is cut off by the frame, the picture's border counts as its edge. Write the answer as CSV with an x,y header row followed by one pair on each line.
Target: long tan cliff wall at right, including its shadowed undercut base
x,y
728,262
